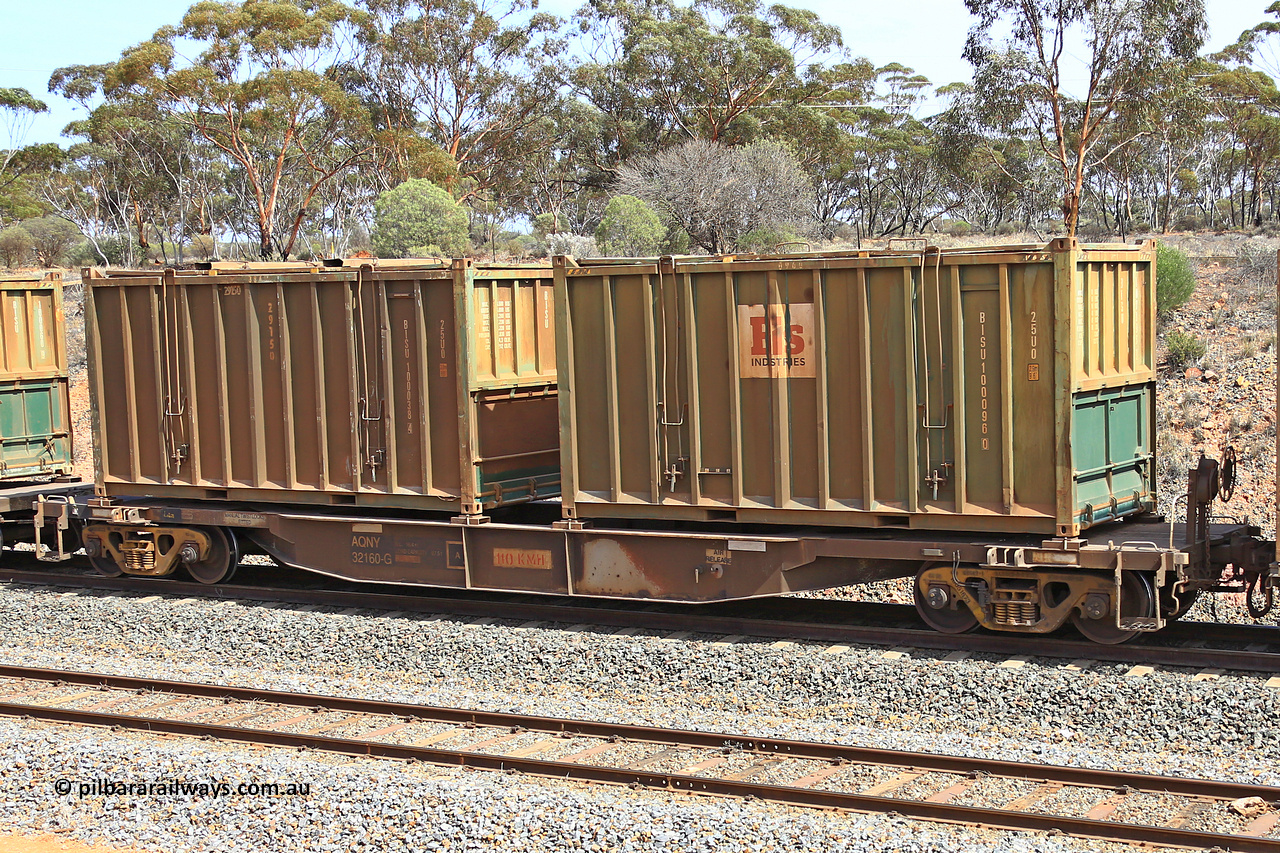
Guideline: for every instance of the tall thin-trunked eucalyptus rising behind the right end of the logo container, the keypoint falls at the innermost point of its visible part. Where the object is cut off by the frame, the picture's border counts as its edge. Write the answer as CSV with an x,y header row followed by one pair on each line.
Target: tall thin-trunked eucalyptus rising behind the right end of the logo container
x,y
1020,83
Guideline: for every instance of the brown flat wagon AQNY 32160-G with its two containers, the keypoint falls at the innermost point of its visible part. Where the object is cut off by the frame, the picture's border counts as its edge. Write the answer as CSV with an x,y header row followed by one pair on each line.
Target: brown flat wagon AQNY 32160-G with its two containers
x,y
730,428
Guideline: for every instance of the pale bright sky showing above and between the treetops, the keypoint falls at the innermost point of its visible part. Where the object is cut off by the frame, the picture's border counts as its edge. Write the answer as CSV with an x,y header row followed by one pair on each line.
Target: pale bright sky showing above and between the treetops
x,y
925,35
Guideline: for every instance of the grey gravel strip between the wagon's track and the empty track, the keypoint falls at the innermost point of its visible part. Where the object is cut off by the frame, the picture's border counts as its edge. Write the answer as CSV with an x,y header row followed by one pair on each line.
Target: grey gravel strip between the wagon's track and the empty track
x,y
1099,718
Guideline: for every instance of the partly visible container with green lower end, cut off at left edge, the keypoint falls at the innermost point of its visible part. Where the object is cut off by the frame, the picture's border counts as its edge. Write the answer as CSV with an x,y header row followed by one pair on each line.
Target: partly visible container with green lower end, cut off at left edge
x,y
35,405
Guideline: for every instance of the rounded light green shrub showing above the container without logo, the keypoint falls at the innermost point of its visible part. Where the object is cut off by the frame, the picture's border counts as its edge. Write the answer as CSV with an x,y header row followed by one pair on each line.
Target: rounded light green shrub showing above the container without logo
x,y
419,216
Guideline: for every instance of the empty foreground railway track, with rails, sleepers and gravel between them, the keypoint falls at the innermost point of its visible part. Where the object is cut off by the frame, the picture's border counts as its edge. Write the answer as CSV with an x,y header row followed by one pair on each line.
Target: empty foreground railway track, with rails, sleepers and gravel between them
x,y
1080,802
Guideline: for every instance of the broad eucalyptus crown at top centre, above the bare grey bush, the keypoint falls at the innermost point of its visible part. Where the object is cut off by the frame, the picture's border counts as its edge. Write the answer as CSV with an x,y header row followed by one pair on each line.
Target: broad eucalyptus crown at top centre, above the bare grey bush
x,y
723,71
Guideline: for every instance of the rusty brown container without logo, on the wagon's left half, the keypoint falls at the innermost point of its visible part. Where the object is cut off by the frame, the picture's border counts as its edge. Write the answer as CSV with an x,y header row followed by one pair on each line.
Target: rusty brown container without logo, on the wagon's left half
x,y
409,385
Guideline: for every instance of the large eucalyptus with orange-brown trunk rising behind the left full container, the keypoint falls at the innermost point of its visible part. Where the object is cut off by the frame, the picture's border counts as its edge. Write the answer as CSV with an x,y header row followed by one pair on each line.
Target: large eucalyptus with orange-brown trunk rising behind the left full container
x,y
258,93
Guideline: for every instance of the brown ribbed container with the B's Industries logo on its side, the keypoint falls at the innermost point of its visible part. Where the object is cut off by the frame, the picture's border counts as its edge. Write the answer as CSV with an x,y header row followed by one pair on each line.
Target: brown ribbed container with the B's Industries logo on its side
x,y
1005,390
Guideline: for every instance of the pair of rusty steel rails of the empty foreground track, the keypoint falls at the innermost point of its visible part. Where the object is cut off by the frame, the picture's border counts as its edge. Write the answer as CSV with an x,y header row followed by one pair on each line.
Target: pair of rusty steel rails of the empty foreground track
x,y
787,795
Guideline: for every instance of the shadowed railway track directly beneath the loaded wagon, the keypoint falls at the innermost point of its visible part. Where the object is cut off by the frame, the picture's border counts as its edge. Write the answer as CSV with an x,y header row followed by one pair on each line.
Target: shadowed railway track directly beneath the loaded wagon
x,y
1246,649
